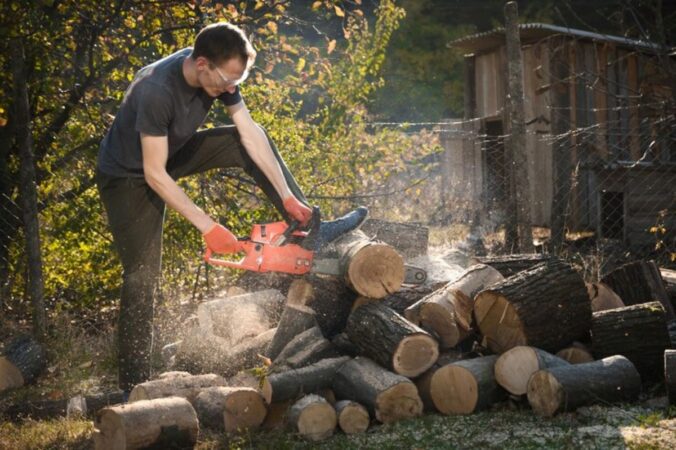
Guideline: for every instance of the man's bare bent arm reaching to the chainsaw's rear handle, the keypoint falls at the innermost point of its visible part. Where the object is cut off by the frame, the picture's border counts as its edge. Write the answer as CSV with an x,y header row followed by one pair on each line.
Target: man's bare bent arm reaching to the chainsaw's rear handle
x,y
155,155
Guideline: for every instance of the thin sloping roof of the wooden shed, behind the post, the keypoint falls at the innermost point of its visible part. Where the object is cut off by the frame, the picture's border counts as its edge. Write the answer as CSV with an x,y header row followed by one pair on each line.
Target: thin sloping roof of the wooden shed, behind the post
x,y
533,32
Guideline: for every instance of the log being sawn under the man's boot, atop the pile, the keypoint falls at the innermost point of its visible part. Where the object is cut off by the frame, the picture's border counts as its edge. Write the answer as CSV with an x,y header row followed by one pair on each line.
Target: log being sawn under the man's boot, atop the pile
x,y
372,269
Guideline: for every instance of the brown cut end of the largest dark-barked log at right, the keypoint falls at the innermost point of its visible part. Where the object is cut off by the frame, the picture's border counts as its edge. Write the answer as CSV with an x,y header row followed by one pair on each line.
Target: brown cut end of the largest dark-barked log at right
x,y
498,322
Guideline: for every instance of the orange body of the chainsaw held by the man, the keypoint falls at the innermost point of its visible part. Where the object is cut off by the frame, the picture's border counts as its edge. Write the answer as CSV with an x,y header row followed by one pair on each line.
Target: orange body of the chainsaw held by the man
x,y
266,250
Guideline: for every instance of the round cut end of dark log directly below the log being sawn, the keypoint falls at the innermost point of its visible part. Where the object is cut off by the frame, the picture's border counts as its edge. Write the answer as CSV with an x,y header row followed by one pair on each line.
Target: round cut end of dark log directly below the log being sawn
x,y
415,354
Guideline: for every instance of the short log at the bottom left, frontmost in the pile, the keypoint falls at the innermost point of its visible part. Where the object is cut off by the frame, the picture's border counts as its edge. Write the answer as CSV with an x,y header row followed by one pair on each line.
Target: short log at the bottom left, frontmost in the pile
x,y
160,423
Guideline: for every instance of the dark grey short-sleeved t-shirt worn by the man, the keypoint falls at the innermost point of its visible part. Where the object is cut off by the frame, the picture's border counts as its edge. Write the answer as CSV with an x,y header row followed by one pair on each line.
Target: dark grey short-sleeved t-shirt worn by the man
x,y
159,102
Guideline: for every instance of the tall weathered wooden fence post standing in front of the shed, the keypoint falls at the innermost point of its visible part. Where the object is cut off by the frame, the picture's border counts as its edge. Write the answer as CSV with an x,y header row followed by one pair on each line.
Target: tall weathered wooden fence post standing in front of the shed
x,y
516,138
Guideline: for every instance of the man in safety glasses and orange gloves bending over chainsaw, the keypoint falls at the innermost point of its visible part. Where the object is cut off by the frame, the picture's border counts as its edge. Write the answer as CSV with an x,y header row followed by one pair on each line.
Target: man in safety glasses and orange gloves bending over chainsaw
x,y
154,141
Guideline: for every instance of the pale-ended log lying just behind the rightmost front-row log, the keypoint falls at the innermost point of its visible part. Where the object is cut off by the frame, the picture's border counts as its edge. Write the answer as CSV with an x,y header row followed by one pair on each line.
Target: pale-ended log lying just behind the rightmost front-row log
x,y
514,368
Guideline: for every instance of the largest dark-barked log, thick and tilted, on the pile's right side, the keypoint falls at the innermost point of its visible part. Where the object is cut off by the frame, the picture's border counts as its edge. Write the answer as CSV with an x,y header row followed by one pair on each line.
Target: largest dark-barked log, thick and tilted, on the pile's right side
x,y
546,307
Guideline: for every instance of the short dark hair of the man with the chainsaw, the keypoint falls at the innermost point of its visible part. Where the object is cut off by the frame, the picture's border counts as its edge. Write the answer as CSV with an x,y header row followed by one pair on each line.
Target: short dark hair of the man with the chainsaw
x,y
222,41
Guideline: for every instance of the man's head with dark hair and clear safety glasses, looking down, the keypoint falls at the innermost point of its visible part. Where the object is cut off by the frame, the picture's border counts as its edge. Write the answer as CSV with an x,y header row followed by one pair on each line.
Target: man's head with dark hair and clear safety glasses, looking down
x,y
223,56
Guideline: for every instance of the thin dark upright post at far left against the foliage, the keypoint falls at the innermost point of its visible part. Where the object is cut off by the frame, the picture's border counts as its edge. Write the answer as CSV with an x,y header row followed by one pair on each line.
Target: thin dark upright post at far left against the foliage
x,y
28,189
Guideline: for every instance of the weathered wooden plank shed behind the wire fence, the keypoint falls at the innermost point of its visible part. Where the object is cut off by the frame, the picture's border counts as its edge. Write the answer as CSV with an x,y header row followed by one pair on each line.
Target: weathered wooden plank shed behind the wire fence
x,y
599,132
